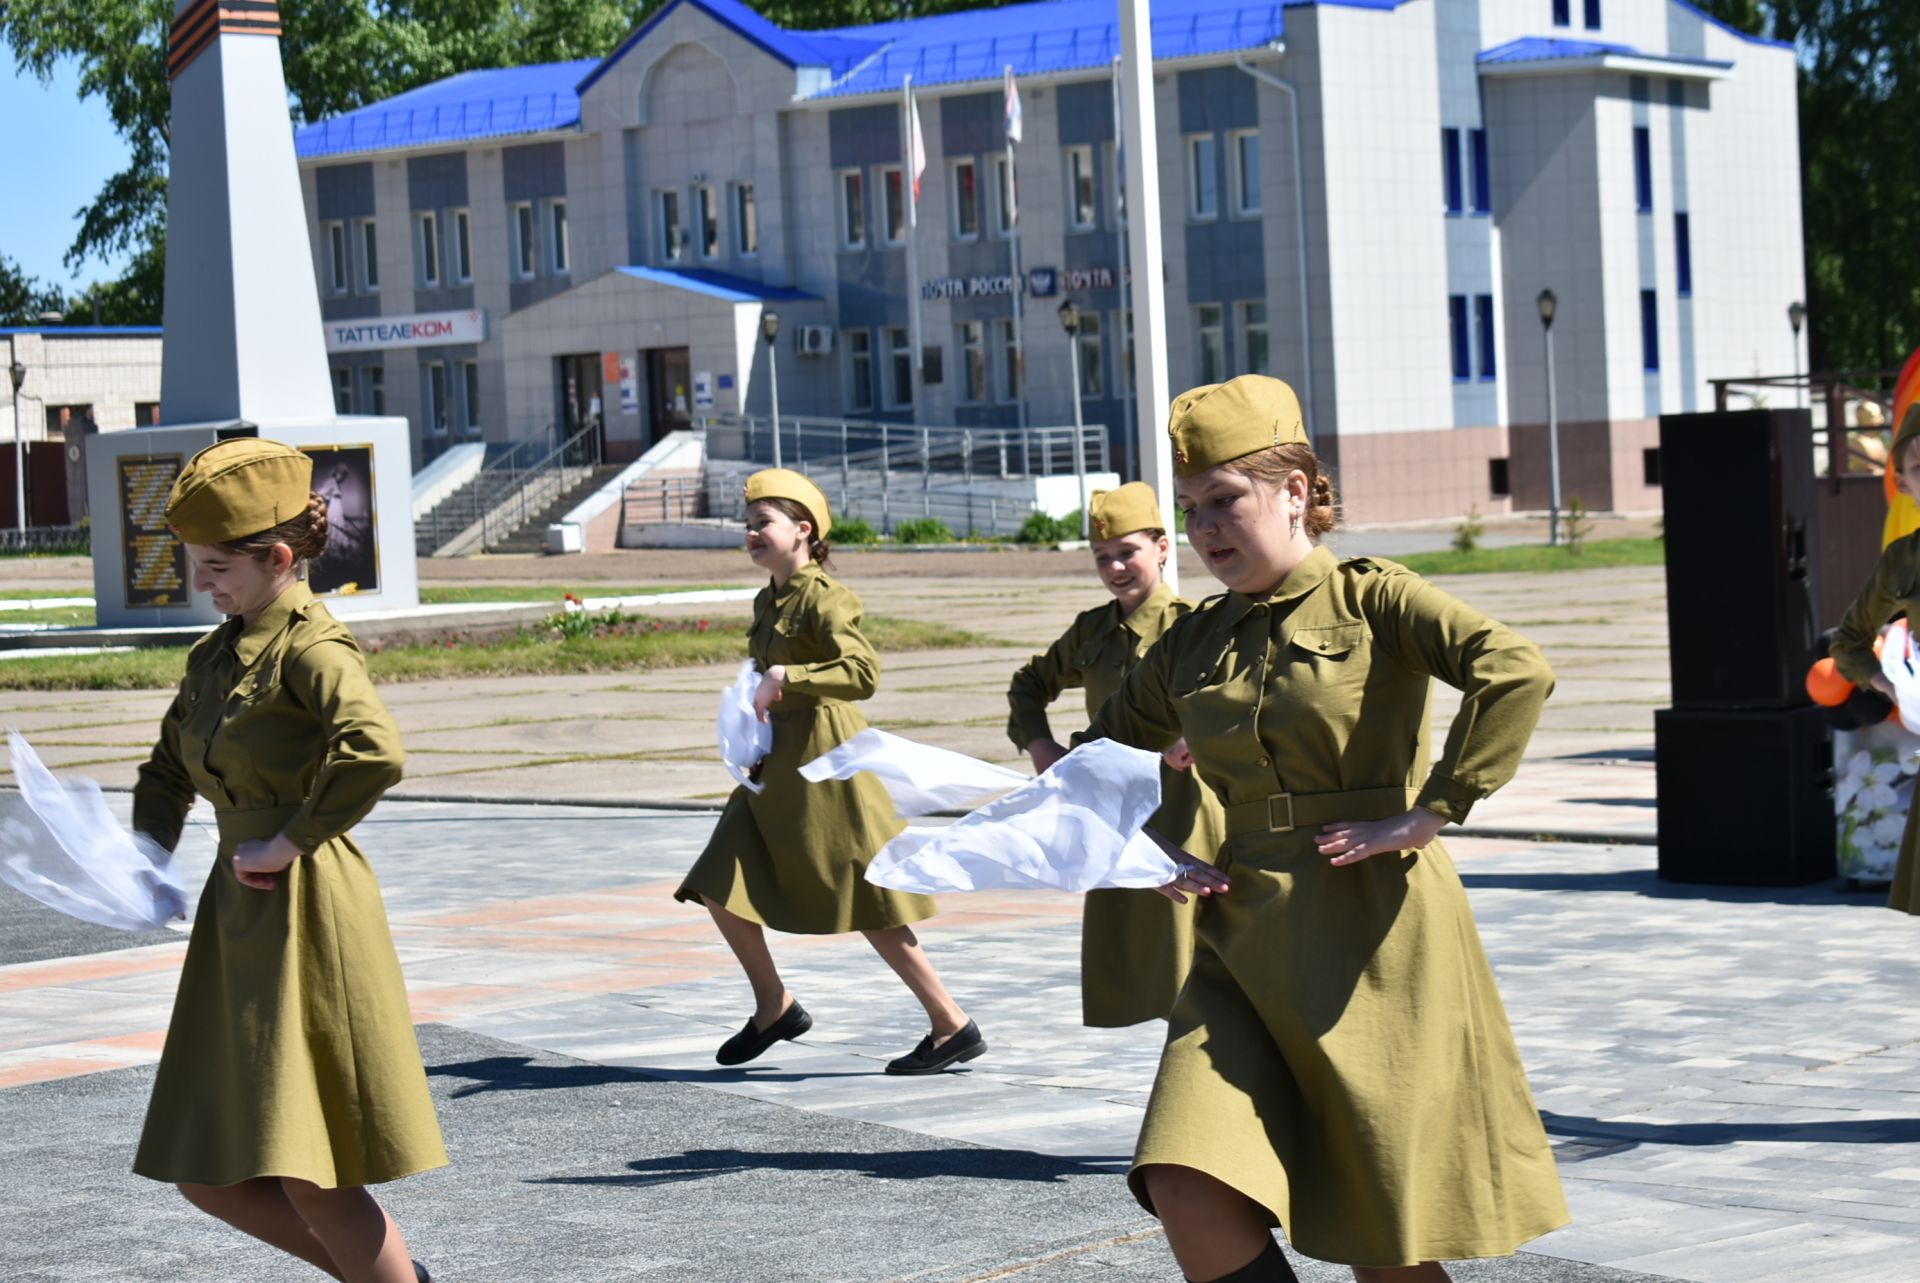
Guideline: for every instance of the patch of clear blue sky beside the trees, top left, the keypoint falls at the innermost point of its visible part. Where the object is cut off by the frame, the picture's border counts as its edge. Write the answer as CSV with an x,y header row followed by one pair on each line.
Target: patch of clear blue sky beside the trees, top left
x,y
59,153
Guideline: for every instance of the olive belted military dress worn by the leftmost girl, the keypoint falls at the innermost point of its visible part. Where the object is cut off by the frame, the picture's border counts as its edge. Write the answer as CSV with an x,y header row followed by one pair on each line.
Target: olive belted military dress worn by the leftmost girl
x,y
291,1050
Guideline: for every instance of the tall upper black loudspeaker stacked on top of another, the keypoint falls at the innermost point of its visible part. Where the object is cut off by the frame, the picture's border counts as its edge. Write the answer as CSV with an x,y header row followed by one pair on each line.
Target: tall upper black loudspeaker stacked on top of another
x,y
1740,569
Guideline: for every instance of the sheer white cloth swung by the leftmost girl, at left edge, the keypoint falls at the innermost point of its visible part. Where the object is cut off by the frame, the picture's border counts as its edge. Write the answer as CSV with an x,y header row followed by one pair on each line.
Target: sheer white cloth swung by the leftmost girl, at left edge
x,y
64,848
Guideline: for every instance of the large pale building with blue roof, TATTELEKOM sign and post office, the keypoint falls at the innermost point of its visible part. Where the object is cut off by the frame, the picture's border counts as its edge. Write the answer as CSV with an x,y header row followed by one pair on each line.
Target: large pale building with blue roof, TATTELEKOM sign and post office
x,y
508,251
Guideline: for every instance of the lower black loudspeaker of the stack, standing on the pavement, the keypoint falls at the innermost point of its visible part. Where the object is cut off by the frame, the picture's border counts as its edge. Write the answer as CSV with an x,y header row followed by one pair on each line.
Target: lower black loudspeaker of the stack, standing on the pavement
x,y
1744,796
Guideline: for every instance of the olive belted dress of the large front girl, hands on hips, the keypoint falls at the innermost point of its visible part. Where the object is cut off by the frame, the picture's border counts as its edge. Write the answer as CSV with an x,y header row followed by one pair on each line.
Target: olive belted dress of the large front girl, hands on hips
x,y
1341,1053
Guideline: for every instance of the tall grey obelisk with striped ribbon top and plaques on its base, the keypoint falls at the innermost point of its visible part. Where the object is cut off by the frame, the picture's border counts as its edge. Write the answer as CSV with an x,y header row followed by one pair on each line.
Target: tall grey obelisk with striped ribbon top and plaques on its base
x,y
243,347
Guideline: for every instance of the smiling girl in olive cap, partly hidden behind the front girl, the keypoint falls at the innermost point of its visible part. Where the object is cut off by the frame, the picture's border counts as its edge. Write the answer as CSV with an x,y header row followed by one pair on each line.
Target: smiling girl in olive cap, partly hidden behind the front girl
x,y
1136,946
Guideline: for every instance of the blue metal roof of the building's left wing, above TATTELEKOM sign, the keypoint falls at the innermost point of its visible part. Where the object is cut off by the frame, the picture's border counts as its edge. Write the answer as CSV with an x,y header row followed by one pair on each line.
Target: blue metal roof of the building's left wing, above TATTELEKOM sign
x,y
475,105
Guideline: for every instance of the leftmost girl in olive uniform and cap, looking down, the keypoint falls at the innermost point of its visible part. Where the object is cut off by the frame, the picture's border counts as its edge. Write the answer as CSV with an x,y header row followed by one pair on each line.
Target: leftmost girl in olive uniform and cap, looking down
x,y
291,1078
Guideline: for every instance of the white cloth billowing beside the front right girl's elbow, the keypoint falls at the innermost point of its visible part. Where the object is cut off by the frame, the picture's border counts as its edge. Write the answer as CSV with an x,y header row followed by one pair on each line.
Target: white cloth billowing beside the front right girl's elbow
x,y
1074,829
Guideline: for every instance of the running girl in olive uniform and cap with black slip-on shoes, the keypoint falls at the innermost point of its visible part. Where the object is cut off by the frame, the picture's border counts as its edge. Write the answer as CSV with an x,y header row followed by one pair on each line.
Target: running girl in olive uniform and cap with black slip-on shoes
x,y
794,858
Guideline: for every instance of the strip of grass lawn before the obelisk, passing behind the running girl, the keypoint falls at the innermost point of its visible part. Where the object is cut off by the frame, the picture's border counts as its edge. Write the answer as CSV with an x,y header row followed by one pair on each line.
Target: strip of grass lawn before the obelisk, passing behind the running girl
x,y
527,652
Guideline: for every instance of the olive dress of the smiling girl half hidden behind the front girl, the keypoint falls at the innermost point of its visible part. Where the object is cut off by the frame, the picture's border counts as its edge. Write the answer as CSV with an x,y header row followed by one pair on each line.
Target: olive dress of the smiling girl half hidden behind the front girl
x,y
1136,946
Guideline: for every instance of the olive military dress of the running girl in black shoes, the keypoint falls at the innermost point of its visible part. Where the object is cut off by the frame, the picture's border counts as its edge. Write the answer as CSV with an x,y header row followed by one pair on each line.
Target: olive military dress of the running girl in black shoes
x,y
794,858
